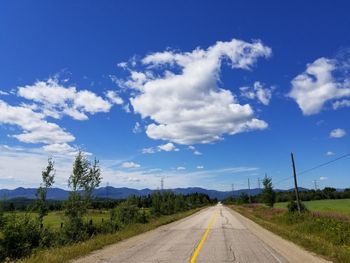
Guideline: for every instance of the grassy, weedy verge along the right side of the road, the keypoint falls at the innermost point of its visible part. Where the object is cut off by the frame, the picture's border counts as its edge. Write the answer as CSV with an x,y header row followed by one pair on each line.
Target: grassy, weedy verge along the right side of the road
x,y
324,235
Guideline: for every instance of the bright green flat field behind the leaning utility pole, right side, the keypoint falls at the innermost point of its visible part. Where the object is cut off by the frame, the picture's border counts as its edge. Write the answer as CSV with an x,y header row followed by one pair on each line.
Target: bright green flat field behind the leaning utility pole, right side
x,y
338,205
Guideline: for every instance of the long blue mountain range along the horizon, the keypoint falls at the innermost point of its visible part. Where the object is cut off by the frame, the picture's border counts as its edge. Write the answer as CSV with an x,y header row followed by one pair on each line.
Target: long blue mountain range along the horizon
x,y
124,192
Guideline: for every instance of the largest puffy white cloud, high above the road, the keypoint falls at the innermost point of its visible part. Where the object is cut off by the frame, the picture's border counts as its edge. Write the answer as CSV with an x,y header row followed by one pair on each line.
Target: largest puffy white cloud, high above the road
x,y
180,94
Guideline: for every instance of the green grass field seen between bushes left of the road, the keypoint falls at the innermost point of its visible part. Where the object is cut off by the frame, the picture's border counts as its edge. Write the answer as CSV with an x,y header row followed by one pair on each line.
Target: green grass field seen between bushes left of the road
x,y
54,219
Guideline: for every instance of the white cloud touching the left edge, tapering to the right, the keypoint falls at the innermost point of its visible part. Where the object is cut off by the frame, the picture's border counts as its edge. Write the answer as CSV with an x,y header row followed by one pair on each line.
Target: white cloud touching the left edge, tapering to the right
x,y
35,129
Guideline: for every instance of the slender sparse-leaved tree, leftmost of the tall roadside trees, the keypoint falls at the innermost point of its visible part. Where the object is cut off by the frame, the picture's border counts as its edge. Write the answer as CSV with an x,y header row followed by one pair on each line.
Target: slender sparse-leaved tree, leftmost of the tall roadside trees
x,y
48,177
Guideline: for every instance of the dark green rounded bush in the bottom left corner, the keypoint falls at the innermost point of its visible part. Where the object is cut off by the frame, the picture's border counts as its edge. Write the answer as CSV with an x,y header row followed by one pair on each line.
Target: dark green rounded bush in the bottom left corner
x,y
21,234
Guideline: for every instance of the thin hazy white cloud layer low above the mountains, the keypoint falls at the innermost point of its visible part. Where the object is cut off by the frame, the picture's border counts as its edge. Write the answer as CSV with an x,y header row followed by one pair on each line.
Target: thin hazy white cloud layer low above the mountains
x,y
24,165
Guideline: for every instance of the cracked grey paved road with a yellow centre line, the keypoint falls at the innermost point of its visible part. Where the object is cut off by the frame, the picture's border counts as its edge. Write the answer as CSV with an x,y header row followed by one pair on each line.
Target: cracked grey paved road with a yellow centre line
x,y
216,234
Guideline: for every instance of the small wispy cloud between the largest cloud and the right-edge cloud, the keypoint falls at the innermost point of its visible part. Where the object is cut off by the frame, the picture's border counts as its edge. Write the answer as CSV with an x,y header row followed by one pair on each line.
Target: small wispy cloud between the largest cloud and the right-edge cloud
x,y
263,95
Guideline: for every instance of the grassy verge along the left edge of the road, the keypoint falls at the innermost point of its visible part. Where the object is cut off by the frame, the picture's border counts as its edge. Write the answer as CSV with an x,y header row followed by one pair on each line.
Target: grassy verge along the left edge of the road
x,y
66,253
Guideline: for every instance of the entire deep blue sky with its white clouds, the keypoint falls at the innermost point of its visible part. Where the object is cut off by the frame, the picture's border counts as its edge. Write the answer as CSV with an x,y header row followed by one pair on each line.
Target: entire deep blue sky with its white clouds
x,y
201,93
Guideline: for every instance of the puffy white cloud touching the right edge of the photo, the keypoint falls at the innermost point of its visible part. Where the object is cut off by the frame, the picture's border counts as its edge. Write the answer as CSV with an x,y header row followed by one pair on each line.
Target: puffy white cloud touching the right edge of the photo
x,y
317,85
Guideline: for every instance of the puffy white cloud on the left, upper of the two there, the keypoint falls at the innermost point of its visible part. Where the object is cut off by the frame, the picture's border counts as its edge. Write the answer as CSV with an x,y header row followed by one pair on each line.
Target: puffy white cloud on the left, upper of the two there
x,y
55,100
